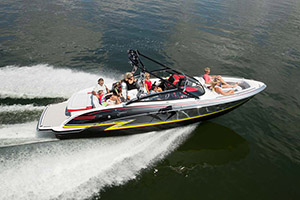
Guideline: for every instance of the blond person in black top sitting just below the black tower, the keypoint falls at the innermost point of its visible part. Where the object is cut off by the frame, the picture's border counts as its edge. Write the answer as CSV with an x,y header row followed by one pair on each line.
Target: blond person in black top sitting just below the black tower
x,y
129,86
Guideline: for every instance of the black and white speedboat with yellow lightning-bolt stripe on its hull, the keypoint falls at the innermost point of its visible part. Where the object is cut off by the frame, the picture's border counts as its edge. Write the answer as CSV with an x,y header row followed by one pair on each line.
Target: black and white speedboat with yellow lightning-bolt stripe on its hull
x,y
184,100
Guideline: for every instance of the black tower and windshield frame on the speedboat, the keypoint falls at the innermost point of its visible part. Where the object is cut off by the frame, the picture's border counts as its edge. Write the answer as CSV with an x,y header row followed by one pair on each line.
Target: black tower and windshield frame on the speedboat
x,y
137,64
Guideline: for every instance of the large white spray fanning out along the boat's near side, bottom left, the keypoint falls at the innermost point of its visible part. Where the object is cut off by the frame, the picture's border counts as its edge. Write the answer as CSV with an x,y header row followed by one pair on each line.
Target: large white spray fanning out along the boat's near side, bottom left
x,y
77,169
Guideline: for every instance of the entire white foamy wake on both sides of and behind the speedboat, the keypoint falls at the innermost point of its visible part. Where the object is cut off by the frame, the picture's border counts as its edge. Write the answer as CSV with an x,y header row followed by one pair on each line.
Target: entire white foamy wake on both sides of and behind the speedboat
x,y
34,168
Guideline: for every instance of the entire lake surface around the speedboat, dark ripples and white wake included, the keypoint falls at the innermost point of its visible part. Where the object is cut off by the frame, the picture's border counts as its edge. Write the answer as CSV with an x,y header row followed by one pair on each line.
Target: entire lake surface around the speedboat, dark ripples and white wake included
x,y
51,49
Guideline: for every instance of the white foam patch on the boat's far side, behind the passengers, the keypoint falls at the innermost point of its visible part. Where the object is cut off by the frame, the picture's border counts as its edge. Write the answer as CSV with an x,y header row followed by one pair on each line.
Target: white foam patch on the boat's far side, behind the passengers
x,y
44,81
